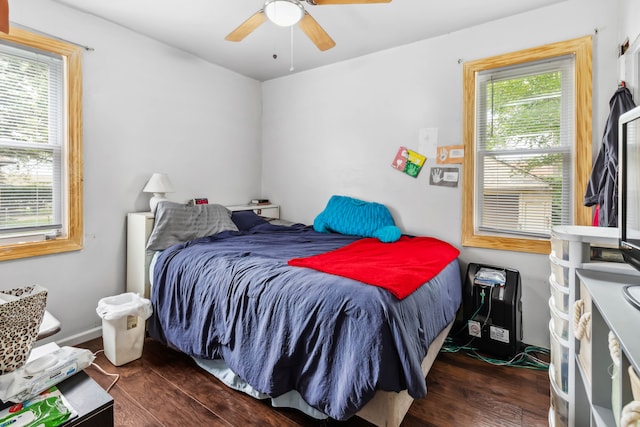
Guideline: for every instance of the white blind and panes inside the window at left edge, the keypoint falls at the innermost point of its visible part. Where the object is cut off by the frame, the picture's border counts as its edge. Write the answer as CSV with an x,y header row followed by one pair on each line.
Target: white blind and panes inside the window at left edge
x,y
32,143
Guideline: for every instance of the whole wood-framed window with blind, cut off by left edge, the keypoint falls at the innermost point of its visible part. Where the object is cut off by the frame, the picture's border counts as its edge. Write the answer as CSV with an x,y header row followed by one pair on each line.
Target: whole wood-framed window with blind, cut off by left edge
x,y
40,146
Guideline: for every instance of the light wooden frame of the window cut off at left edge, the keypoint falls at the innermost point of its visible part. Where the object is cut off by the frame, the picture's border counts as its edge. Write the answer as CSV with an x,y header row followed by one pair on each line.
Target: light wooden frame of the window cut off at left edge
x,y
72,57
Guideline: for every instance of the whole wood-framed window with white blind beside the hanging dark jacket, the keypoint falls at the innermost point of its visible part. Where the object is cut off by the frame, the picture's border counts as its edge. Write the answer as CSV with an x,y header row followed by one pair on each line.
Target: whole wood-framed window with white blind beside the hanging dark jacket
x,y
527,138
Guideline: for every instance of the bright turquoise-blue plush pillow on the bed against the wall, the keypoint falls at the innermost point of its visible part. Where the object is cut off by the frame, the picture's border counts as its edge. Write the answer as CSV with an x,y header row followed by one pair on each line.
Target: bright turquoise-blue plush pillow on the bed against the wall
x,y
346,215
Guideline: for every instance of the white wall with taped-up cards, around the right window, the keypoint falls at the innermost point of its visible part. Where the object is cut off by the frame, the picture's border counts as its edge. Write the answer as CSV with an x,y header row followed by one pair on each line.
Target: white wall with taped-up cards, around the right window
x,y
335,130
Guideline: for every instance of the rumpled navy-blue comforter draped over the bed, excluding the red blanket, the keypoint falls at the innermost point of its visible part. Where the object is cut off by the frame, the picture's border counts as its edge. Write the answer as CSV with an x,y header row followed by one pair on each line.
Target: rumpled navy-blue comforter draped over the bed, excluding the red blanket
x,y
280,328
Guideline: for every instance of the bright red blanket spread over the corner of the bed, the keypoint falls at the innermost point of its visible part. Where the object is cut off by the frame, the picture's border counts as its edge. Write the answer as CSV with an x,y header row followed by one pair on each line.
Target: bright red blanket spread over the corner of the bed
x,y
400,267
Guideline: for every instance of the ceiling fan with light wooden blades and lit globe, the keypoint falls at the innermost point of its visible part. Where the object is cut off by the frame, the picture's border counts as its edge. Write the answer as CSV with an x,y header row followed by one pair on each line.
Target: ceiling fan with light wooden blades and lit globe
x,y
287,13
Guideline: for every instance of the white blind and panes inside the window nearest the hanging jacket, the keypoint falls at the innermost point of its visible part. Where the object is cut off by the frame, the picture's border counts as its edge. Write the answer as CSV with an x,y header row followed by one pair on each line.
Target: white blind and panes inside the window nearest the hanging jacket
x,y
524,147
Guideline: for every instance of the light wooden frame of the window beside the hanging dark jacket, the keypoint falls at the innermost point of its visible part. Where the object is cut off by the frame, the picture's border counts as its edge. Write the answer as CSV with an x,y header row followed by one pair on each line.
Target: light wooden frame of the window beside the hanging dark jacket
x,y
581,48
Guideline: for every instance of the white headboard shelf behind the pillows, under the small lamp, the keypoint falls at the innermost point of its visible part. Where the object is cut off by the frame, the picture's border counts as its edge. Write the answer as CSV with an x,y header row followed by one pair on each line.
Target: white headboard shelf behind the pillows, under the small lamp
x,y
139,227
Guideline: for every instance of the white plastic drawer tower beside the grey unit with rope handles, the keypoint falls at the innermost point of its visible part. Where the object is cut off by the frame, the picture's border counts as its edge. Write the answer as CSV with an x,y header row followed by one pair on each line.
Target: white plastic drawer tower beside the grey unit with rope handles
x,y
572,248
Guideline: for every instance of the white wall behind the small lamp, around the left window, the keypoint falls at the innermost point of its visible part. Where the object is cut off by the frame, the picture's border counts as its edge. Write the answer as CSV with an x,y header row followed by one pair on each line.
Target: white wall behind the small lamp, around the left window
x,y
147,108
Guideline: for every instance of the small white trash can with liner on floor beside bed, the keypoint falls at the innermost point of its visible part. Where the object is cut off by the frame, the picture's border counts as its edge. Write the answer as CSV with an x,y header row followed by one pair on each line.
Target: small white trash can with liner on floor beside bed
x,y
123,326
